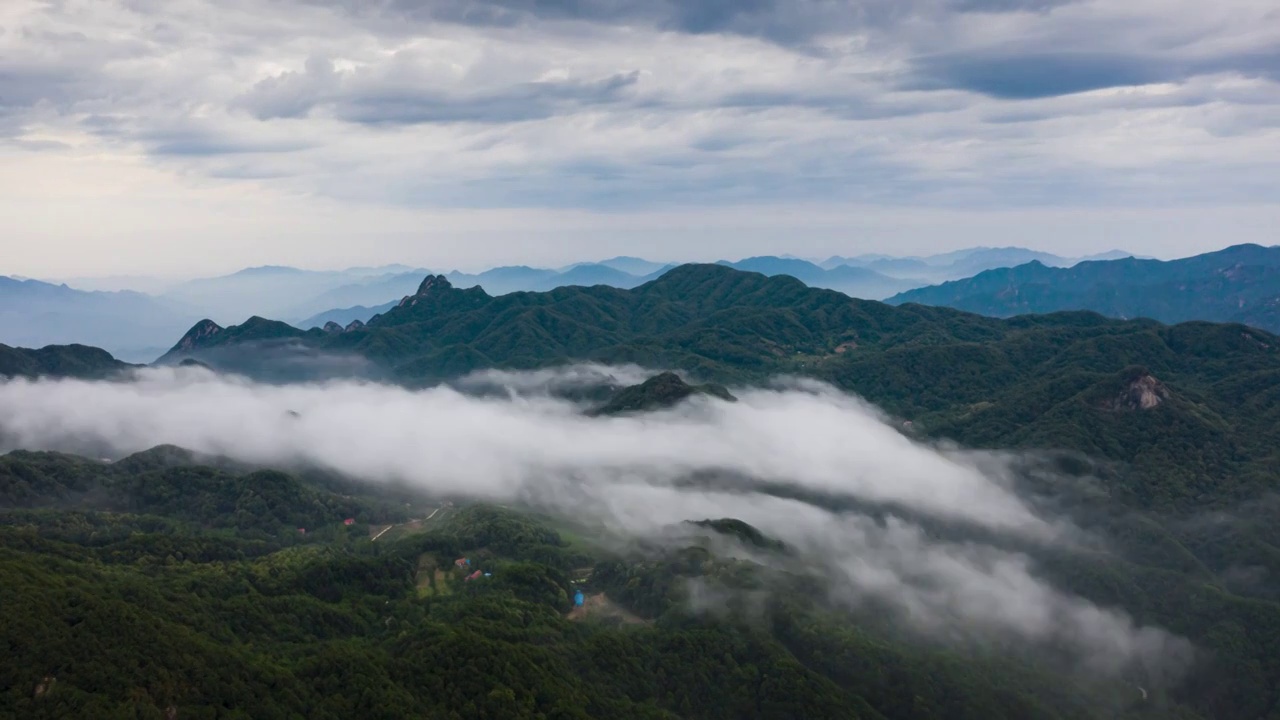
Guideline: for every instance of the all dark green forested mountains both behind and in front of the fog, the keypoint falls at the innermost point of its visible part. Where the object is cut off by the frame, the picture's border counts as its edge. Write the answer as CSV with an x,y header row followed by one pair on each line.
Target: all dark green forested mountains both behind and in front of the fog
x,y
1158,443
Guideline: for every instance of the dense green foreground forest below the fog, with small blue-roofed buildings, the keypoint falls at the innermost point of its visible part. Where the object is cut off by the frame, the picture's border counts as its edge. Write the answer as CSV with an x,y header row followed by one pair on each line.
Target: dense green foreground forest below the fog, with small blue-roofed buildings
x,y
156,587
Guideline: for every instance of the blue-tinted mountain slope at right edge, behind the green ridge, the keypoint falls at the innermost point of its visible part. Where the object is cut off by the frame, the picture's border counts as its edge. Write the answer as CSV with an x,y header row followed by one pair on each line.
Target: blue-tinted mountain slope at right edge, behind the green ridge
x,y
1238,285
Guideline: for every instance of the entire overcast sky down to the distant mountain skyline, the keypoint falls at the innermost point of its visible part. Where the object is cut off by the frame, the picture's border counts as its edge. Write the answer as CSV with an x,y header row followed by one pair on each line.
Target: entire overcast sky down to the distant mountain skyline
x,y
199,136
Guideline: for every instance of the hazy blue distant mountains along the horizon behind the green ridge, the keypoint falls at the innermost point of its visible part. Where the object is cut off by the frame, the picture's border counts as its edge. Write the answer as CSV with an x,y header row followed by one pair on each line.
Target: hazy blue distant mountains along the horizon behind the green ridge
x,y
138,327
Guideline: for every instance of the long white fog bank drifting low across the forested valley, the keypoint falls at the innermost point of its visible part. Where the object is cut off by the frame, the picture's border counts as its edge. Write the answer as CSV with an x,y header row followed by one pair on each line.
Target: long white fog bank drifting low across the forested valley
x,y
629,473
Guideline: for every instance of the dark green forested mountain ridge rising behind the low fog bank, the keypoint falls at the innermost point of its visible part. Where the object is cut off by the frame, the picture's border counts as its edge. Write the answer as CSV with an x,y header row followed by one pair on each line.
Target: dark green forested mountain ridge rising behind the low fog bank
x,y
1044,382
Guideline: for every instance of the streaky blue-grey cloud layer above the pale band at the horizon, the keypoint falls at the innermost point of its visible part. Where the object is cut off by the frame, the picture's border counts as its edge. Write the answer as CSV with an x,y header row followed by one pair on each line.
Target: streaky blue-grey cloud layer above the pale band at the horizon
x,y
619,104
